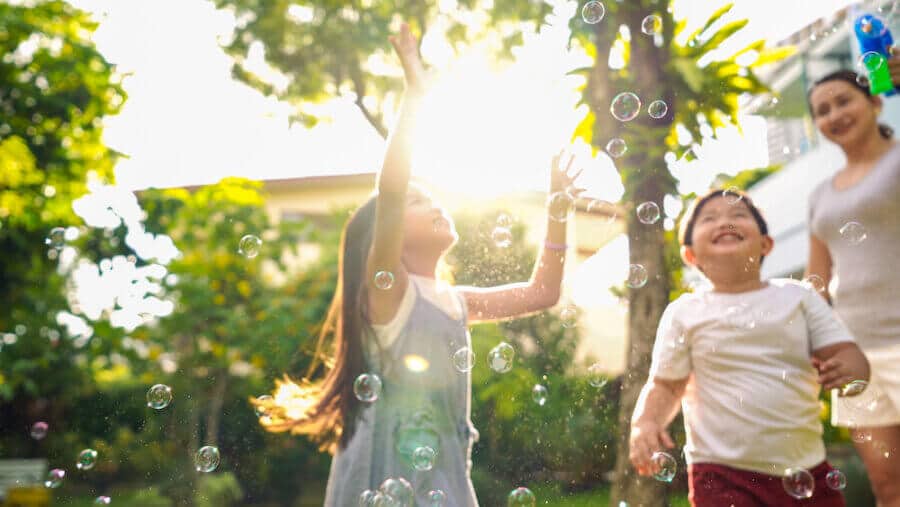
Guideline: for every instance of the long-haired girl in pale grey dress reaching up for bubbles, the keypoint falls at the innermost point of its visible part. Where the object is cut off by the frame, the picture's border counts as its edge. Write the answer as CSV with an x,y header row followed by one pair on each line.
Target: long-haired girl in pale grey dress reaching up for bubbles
x,y
406,430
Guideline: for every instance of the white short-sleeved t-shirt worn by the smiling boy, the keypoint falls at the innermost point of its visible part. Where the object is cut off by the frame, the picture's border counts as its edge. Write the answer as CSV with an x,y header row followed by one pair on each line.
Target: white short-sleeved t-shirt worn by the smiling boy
x,y
752,398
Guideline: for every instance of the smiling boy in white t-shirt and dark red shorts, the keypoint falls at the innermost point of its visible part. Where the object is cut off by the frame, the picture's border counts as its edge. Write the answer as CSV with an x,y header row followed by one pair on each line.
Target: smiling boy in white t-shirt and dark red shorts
x,y
745,358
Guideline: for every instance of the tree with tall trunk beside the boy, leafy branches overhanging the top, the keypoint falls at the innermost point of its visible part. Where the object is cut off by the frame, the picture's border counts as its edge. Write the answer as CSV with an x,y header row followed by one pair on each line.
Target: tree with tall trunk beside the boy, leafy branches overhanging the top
x,y
323,56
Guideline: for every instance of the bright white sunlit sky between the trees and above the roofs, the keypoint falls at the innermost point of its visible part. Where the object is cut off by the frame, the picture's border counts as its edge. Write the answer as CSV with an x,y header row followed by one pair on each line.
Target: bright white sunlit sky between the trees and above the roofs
x,y
187,122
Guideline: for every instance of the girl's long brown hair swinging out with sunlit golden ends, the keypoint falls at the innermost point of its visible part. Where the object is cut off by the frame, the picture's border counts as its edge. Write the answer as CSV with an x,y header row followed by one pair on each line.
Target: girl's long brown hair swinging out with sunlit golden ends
x,y
326,409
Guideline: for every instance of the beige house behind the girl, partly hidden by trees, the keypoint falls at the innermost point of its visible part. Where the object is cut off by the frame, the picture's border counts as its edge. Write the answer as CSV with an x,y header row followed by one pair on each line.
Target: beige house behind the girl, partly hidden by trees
x,y
603,323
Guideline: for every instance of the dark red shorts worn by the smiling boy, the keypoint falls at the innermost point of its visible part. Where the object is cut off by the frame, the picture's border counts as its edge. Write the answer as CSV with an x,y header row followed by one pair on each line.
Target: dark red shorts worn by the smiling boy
x,y
713,485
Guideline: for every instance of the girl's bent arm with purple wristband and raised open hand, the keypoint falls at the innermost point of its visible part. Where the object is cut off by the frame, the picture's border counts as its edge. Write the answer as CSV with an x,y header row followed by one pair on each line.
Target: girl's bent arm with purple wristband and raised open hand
x,y
544,288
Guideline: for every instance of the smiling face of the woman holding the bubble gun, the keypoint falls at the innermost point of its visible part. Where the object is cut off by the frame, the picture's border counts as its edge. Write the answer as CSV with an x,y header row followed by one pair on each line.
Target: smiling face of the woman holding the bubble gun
x,y
843,114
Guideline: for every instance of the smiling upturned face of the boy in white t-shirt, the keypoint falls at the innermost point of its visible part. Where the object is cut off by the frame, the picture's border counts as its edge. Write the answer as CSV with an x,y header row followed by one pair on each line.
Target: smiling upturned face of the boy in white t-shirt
x,y
725,238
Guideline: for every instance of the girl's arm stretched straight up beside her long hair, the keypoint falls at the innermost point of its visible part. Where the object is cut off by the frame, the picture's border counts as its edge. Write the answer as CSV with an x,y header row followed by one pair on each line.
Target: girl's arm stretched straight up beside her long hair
x,y
393,181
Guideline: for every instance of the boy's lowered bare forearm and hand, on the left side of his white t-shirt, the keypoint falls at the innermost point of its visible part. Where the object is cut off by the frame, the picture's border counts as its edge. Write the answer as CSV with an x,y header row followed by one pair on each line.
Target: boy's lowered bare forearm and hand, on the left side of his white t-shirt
x,y
657,405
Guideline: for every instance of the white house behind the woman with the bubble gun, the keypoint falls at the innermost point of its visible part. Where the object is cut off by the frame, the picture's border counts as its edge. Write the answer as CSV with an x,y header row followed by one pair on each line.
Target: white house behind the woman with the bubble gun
x,y
807,158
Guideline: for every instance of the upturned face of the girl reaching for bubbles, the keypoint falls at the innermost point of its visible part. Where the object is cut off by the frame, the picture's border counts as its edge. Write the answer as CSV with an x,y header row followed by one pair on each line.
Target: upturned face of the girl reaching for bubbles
x,y
426,224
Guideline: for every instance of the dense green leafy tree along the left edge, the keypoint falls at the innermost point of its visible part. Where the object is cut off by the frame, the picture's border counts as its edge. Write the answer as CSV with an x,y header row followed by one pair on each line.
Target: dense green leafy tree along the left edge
x,y
55,90
